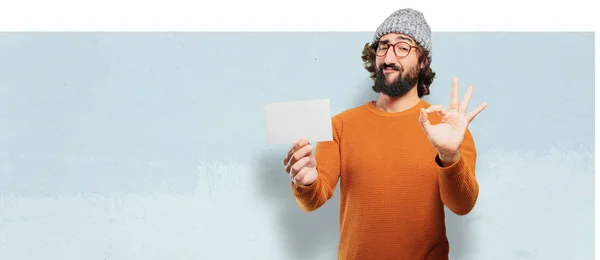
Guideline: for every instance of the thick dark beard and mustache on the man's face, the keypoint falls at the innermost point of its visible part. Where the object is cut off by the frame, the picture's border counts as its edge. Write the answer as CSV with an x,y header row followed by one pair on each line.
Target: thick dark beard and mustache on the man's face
x,y
399,87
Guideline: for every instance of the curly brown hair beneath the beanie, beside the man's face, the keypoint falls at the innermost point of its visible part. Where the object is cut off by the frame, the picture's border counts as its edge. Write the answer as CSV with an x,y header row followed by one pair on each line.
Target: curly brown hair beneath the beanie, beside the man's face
x,y
426,75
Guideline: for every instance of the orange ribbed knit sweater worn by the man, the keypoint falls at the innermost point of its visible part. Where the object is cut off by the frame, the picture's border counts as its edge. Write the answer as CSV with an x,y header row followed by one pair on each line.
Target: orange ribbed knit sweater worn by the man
x,y
392,189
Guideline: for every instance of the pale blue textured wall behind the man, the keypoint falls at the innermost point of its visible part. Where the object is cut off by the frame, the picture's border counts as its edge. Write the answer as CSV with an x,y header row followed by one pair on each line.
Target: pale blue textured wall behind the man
x,y
152,146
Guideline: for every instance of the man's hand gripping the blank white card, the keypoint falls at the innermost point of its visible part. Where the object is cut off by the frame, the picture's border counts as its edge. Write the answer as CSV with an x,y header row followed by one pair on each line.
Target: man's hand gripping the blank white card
x,y
300,163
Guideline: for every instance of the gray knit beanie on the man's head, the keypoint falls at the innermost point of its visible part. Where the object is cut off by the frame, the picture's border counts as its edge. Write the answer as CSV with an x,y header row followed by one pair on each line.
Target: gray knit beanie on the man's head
x,y
406,21
